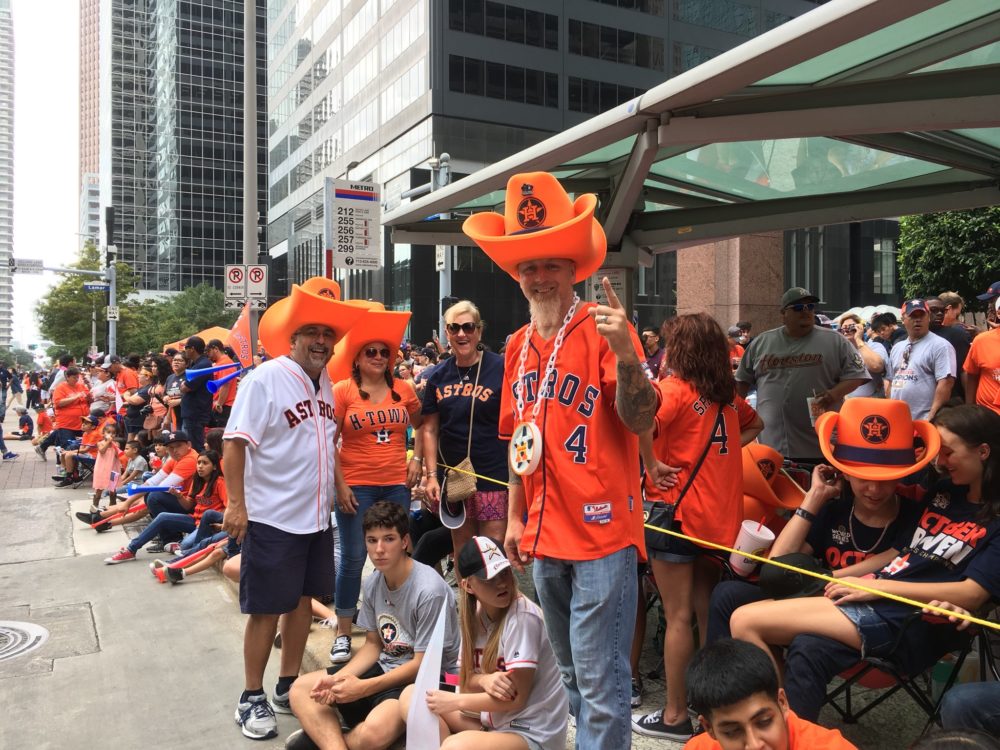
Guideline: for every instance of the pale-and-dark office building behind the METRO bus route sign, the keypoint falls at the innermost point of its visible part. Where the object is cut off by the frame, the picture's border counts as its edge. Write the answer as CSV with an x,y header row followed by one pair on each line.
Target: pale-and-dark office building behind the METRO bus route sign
x,y
389,84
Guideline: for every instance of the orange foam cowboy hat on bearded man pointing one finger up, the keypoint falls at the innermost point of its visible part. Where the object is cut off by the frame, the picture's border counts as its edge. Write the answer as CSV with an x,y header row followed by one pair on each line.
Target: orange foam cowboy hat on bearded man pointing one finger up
x,y
540,221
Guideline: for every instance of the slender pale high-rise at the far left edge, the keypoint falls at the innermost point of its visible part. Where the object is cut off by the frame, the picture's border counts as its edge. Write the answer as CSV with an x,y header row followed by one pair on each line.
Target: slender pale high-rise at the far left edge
x,y
6,172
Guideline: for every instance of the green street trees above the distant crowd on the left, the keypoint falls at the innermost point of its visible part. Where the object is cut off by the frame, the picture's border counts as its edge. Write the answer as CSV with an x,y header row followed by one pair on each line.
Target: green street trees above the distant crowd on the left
x,y
64,314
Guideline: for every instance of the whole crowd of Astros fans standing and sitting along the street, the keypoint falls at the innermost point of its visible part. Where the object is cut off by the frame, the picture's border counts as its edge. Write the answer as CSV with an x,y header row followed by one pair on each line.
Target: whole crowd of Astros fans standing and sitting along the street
x,y
553,453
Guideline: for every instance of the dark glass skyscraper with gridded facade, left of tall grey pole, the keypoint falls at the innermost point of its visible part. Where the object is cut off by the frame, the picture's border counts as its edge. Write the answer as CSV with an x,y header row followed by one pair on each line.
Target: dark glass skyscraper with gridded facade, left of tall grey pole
x,y
171,138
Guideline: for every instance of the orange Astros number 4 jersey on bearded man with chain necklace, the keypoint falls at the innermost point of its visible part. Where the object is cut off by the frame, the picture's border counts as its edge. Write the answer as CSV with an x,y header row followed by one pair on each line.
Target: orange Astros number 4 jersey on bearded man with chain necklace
x,y
583,500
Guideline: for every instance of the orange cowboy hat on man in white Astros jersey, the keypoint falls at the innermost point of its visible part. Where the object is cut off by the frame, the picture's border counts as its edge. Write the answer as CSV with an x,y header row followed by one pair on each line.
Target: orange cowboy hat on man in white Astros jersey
x,y
314,301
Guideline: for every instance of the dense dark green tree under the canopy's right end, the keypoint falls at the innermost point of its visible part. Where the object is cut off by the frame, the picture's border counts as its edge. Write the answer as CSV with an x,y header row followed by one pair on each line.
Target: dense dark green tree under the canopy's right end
x,y
953,251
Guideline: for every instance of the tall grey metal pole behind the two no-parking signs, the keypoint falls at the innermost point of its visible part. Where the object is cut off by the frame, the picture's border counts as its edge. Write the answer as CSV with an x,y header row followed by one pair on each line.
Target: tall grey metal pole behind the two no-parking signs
x,y
250,147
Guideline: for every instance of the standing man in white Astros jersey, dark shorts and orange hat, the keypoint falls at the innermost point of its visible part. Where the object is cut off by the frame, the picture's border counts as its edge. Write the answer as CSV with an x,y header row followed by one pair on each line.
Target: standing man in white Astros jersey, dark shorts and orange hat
x,y
279,458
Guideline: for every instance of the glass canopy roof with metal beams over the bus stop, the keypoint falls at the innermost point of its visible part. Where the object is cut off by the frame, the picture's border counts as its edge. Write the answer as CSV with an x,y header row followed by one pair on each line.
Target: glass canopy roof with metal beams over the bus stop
x,y
858,109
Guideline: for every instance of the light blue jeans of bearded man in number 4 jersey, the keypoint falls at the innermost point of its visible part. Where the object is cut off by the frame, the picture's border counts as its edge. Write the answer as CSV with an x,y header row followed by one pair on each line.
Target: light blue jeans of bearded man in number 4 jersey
x,y
589,608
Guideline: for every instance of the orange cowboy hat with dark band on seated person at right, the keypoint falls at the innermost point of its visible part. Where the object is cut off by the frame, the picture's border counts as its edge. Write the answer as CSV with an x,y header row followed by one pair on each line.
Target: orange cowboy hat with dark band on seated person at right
x,y
875,439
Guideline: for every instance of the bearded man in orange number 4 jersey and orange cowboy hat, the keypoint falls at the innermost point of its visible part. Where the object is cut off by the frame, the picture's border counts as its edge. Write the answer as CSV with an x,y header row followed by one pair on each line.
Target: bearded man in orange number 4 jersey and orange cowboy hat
x,y
581,492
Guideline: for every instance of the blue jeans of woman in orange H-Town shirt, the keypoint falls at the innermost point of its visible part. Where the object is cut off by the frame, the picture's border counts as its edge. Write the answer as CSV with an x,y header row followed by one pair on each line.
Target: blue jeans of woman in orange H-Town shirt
x,y
352,542
